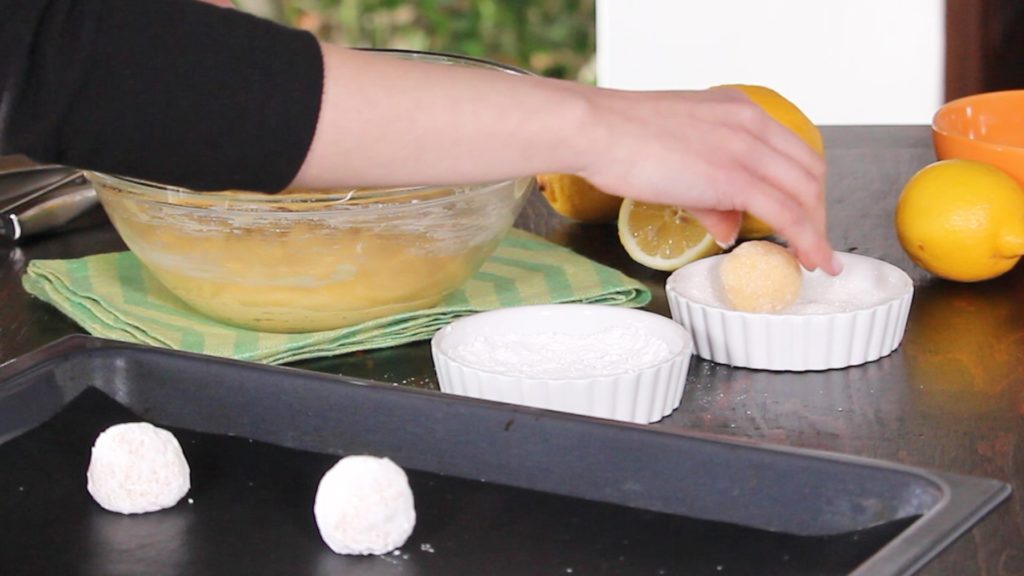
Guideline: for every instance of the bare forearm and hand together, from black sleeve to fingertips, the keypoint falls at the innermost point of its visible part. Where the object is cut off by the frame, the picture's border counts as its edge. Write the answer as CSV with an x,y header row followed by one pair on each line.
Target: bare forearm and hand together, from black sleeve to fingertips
x,y
386,121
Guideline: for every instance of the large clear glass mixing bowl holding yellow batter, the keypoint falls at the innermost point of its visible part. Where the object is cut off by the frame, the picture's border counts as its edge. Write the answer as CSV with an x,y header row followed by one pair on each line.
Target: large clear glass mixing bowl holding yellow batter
x,y
309,261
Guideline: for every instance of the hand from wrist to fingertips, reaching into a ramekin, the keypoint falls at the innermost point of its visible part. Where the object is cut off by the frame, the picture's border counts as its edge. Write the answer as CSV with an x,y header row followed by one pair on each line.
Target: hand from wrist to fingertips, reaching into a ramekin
x,y
716,154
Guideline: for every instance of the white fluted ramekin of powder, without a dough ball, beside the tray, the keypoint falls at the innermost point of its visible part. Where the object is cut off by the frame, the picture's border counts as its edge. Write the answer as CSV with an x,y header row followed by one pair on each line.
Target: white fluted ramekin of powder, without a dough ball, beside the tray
x,y
643,396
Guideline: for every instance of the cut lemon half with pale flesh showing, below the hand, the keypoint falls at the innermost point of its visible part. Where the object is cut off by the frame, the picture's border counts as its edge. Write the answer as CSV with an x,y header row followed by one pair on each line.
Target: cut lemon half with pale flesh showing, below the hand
x,y
663,237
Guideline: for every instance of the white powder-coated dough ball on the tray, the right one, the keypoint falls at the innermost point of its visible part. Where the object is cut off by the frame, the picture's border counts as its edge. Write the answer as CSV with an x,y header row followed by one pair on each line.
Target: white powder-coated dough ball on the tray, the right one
x,y
364,506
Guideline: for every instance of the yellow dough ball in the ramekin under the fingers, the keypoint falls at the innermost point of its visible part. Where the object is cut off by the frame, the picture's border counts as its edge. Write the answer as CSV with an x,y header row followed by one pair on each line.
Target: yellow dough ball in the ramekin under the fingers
x,y
761,277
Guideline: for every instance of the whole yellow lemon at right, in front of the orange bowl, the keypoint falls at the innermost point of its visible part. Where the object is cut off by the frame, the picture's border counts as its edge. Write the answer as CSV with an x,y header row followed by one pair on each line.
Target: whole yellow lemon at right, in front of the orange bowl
x,y
962,221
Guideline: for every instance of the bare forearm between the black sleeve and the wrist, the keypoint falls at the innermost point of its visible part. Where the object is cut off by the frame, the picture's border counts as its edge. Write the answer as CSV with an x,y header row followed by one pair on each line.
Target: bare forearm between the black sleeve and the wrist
x,y
390,121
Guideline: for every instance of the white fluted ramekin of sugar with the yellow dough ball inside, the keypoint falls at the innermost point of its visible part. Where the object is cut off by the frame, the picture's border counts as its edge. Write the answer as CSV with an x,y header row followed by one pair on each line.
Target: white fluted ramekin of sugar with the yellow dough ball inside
x,y
855,318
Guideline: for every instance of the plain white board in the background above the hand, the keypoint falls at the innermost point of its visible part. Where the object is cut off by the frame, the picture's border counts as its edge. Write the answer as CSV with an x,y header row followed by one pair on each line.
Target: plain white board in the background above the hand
x,y
843,62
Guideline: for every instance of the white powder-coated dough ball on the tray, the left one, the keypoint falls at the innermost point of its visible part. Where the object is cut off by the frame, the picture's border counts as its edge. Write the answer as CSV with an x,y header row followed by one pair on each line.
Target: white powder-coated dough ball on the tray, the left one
x,y
138,468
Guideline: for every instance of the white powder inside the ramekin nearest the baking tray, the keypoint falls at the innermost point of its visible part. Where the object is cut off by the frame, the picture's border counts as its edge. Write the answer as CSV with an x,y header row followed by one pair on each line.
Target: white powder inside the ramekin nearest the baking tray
x,y
562,355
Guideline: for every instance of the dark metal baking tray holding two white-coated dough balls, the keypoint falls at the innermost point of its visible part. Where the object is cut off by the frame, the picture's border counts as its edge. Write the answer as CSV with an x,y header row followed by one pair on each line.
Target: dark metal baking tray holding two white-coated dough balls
x,y
500,489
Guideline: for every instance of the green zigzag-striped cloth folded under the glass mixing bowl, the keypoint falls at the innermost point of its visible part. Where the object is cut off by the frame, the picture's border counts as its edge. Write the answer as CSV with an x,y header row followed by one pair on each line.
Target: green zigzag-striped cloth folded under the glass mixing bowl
x,y
114,297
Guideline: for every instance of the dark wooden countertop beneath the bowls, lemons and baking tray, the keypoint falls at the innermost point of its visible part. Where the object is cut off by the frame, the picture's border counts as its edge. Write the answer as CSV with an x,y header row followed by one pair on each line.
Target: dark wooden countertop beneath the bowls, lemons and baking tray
x,y
951,399
